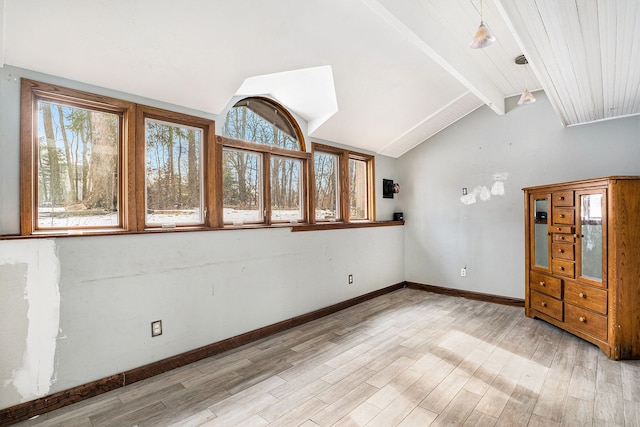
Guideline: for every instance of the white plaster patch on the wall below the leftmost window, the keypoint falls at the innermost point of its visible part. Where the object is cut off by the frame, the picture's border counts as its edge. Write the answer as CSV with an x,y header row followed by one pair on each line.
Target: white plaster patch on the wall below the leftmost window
x,y
32,376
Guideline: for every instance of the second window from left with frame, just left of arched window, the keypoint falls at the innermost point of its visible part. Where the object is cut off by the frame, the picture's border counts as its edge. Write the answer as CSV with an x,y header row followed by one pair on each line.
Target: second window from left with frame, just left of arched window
x,y
173,177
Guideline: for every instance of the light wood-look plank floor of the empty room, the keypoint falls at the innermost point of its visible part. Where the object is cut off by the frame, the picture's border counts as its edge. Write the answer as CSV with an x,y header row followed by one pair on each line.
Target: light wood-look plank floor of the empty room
x,y
409,358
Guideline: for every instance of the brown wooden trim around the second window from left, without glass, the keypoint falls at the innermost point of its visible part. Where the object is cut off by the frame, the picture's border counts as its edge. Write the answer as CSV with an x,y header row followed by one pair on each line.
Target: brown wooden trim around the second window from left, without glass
x,y
209,158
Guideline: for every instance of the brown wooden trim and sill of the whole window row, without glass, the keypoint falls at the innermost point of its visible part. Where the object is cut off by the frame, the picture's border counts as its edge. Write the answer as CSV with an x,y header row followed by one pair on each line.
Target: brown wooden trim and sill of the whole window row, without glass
x,y
131,163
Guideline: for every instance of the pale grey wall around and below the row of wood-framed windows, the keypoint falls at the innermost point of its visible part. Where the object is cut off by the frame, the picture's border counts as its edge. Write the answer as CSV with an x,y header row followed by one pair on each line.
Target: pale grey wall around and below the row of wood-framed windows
x,y
76,309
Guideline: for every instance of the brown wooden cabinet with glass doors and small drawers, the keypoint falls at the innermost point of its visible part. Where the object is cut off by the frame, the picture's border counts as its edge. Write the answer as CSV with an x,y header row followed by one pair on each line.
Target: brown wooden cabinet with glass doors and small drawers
x,y
582,248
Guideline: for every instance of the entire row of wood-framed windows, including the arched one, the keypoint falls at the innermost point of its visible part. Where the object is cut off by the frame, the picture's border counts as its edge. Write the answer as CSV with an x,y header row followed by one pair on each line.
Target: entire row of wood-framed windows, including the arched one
x,y
91,163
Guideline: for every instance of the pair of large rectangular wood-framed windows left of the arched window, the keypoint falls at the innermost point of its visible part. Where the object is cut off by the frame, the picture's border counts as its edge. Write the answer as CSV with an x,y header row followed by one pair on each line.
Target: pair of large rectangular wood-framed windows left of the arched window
x,y
90,163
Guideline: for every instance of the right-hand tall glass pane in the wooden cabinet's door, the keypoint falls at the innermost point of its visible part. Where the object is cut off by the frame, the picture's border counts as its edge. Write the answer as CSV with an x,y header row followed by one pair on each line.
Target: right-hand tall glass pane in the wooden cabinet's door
x,y
592,212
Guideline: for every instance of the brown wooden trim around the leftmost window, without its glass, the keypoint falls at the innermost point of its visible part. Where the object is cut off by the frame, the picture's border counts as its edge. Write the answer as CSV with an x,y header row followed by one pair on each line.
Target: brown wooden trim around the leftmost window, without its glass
x,y
32,92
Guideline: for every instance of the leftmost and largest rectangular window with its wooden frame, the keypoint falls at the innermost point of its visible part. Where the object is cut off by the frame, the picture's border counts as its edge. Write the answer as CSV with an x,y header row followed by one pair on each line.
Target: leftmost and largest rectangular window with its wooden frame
x,y
74,153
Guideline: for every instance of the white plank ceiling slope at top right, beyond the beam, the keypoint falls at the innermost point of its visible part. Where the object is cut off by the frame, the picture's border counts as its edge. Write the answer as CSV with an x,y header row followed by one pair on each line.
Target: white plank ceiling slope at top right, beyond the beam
x,y
586,54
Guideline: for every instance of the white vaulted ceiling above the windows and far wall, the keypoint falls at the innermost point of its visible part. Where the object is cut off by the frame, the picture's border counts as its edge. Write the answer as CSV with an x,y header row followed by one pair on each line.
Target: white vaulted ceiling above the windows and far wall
x,y
380,75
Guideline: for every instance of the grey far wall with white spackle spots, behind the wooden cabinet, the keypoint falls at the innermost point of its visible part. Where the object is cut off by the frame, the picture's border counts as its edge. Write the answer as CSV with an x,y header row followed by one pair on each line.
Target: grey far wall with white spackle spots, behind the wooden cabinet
x,y
527,146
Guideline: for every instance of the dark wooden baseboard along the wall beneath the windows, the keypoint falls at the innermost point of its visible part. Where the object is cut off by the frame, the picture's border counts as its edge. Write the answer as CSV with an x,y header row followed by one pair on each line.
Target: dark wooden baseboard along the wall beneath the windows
x,y
54,401
